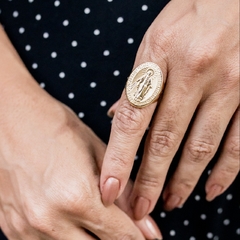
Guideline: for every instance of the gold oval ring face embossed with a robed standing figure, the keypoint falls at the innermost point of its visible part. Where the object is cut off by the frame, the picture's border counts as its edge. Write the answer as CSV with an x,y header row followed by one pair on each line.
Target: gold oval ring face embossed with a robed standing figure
x,y
144,85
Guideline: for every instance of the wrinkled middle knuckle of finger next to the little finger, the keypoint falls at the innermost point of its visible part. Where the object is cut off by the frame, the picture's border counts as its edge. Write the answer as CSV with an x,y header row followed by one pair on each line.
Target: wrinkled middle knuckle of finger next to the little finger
x,y
200,150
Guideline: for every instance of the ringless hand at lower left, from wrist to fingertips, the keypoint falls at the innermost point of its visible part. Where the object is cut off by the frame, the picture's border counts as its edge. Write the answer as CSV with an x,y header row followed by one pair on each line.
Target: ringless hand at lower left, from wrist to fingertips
x,y
51,180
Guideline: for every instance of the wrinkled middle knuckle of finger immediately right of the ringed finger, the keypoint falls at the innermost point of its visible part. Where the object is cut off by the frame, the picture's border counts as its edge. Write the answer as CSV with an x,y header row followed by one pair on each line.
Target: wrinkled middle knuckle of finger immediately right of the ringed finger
x,y
162,142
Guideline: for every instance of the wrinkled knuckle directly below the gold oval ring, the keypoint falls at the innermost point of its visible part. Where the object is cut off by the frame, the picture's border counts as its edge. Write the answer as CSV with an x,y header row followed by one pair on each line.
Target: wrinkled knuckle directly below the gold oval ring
x,y
128,119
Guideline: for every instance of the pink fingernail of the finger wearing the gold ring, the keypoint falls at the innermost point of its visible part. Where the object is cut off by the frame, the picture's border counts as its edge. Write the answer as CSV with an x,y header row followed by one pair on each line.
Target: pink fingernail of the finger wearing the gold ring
x,y
110,191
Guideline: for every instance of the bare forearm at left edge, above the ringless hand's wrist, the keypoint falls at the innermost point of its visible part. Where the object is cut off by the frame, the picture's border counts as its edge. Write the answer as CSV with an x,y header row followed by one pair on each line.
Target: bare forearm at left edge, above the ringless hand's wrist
x,y
19,92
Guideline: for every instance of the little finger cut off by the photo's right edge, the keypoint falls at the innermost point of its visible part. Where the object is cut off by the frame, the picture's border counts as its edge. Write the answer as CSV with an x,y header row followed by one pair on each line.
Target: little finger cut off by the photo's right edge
x,y
228,165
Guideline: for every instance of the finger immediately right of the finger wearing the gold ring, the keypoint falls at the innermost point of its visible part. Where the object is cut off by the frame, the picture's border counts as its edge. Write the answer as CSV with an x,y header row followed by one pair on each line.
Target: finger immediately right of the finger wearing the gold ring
x,y
168,128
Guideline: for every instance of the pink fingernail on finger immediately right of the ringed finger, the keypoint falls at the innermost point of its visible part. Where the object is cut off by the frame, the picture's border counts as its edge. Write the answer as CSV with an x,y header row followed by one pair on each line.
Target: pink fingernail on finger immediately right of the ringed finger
x,y
141,207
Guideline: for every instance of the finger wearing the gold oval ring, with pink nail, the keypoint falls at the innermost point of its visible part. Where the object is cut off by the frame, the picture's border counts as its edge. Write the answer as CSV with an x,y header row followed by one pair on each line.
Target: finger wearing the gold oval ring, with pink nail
x,y
128,127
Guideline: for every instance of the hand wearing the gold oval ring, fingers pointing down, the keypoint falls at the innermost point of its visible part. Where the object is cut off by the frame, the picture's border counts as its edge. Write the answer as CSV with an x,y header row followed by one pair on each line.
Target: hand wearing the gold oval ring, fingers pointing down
x,y
196,44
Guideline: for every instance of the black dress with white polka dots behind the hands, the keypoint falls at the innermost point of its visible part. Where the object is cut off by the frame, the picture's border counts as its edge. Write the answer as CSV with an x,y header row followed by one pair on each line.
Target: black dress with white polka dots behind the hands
x,y
82,52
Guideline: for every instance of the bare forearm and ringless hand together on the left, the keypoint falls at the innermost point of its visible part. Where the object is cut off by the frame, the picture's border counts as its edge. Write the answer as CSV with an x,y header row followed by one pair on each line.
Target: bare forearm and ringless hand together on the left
x,y
49,167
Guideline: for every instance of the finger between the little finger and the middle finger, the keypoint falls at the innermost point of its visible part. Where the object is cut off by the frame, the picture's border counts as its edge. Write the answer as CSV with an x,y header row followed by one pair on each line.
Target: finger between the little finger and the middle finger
x,y
205,136
